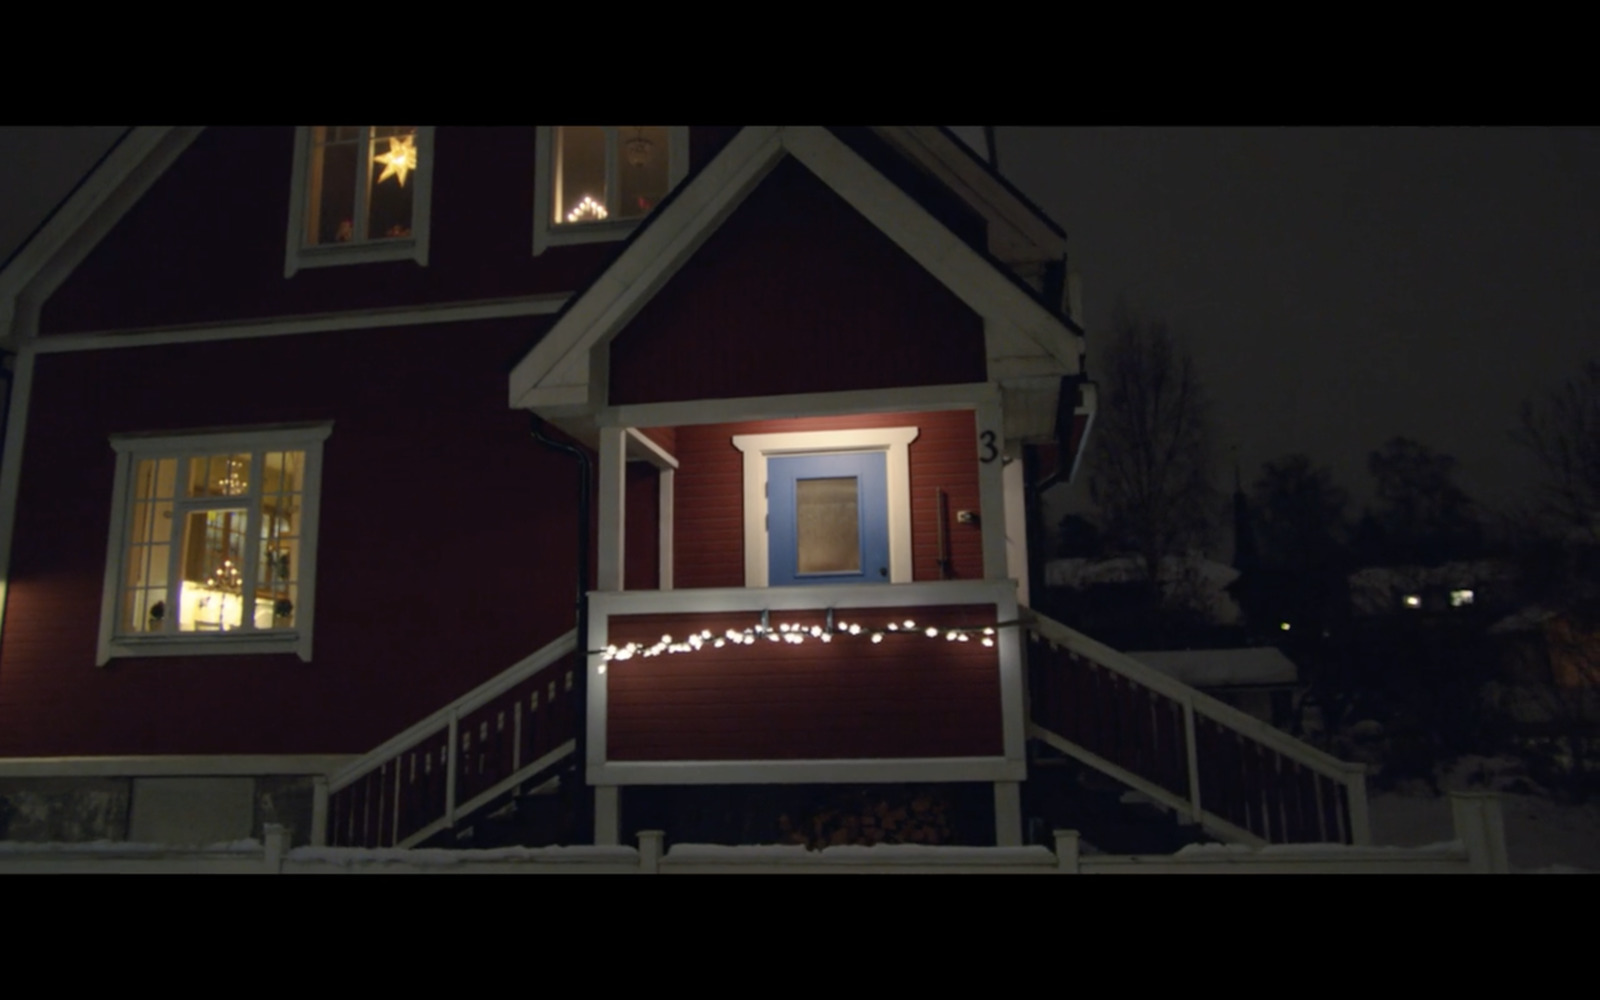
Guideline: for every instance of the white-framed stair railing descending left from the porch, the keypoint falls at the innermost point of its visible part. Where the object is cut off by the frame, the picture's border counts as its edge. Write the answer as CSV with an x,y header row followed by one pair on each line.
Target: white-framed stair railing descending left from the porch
x,y
458,759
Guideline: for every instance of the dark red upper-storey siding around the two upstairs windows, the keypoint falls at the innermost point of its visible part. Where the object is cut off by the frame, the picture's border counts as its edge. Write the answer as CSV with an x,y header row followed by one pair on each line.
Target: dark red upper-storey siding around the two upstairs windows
x,y
206,244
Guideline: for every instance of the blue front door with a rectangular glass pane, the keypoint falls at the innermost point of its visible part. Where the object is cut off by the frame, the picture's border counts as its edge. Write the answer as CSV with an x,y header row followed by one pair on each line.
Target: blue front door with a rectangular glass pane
x,y
828,519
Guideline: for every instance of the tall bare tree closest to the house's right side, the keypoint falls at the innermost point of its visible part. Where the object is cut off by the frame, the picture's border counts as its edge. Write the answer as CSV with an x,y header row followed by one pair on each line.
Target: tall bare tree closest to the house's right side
x,y
1151,457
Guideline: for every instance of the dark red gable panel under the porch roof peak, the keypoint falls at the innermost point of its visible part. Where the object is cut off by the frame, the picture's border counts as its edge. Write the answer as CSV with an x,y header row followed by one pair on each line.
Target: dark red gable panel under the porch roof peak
x,y
796,294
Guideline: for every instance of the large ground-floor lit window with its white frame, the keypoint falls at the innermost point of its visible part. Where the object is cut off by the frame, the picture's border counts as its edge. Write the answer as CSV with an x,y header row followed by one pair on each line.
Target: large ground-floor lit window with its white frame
x,y
214,545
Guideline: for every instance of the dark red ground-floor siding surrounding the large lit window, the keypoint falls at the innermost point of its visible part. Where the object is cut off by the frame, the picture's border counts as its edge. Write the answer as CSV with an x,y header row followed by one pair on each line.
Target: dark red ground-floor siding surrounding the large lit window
x,y
446,543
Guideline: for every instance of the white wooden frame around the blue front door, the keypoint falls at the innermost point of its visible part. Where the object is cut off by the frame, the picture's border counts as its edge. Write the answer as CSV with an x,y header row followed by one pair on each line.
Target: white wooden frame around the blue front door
x,y
759,447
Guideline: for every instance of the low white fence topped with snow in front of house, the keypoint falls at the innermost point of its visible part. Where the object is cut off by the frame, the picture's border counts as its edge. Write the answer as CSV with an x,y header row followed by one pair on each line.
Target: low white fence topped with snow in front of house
x,y
1479,849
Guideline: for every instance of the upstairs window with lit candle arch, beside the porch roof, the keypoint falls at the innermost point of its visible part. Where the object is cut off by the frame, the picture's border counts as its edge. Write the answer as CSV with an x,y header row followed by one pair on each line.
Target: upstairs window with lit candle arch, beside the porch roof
x,y
596,182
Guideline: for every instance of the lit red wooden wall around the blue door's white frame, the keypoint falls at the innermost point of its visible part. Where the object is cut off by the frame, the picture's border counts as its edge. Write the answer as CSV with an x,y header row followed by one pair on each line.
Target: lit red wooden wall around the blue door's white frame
x,y
710,494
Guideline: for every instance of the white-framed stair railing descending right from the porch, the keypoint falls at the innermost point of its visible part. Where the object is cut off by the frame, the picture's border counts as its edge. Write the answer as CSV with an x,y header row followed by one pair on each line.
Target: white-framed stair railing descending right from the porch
x,y
1218,767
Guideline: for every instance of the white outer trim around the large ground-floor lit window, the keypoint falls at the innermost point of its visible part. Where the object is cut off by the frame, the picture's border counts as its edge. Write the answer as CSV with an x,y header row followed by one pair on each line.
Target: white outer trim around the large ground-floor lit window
x,y
134,447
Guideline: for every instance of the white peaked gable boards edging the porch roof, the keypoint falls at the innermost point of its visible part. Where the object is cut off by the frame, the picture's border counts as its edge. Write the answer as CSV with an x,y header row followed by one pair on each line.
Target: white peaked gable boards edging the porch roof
x,y
558,377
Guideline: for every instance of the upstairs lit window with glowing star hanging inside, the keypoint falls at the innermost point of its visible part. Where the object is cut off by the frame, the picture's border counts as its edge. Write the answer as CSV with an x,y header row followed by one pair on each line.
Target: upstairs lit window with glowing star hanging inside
x,y
361,194
